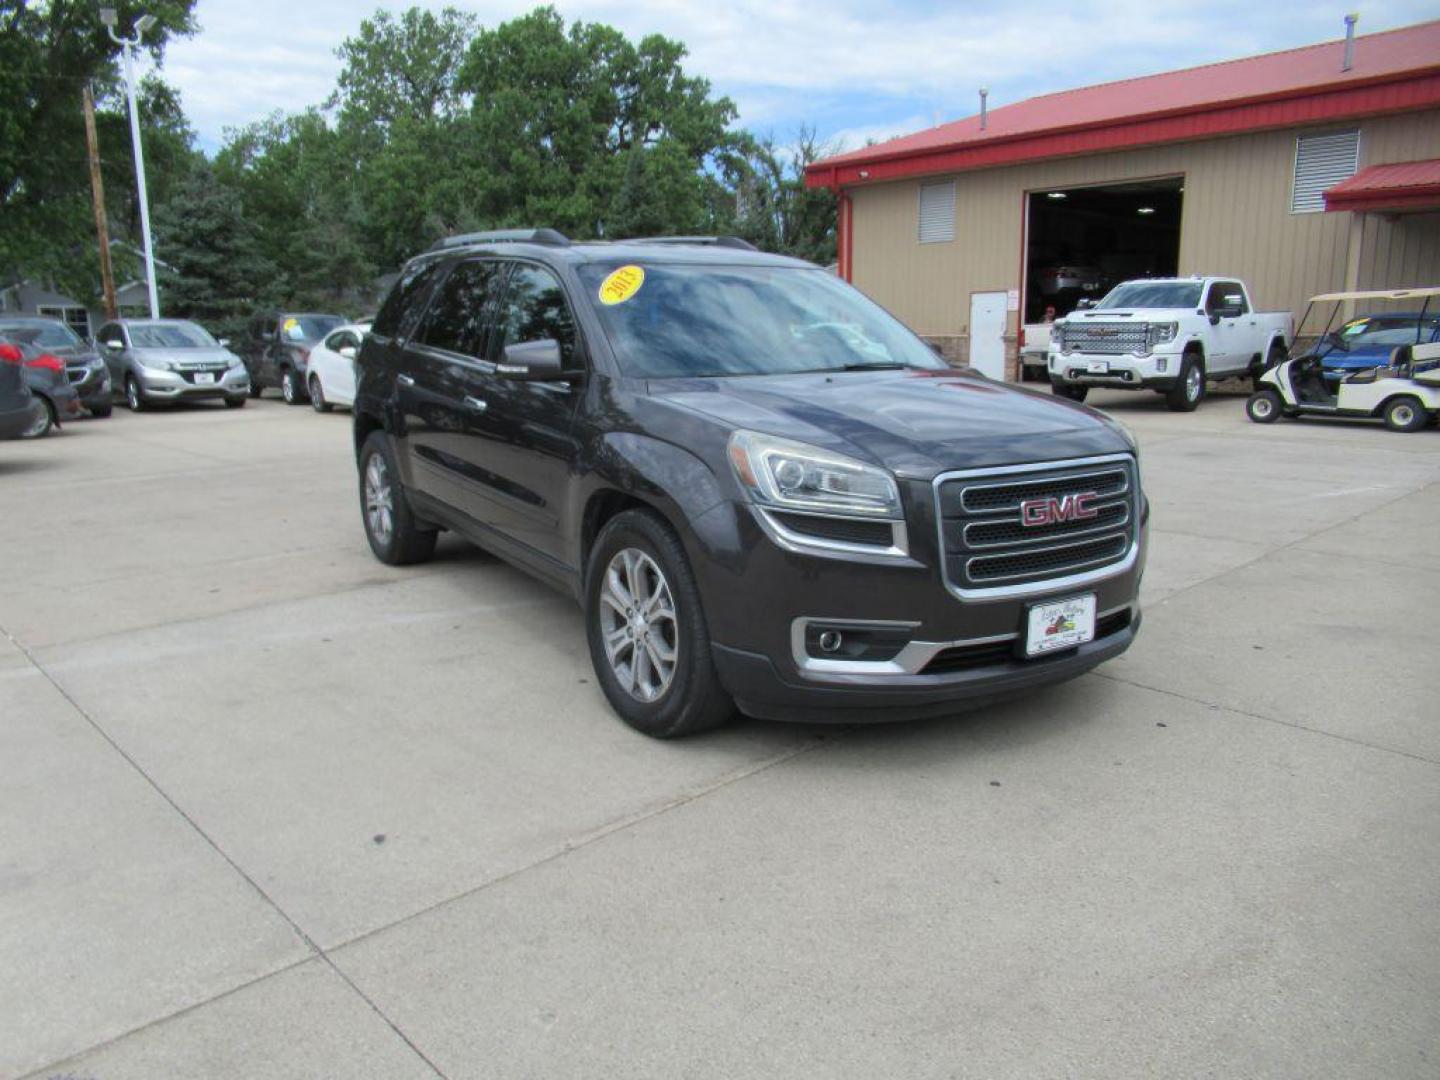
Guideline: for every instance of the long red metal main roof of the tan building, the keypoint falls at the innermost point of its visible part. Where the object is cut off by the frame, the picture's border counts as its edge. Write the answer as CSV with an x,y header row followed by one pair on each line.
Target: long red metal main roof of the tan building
x,y
1393,71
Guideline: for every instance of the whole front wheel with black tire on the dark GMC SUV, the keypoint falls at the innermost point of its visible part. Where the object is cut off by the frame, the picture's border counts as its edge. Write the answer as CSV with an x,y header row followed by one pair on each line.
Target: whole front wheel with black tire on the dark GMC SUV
x,y
647,630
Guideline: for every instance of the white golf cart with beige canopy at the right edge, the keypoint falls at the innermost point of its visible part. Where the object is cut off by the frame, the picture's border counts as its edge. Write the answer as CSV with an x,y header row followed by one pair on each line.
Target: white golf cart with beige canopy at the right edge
x,y
1405,391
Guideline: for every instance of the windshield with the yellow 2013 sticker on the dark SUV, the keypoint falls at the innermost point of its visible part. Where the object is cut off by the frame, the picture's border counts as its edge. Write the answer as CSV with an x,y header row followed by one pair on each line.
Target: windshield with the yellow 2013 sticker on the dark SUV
x,y
686,322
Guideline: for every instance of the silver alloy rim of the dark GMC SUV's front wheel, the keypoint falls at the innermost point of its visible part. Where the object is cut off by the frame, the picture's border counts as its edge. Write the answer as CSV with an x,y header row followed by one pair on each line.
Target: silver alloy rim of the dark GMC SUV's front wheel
x,y
640,626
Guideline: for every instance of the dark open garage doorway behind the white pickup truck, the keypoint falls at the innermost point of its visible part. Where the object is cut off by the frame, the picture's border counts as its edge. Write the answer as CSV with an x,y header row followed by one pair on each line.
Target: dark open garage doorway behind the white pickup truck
x,y
1084,241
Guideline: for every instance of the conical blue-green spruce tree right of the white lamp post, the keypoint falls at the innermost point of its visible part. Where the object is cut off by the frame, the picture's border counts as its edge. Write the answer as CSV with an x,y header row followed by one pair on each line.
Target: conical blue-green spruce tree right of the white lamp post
x,y
220,274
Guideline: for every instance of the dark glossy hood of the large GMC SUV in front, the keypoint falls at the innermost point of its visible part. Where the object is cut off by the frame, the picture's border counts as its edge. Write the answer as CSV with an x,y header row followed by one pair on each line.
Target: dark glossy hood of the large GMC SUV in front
x,y
917,424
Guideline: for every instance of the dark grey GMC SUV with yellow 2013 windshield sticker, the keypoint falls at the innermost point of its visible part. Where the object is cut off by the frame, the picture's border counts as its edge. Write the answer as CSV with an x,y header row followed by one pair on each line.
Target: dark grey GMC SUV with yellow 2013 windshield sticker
x,y
761,487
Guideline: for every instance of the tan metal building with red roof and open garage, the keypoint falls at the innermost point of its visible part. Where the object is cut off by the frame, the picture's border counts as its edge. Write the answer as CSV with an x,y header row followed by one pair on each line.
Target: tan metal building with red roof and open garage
x,y
1302,172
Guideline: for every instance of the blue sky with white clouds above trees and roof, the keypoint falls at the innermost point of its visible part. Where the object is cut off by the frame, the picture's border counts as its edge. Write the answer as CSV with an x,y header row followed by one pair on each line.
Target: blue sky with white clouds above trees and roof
x,y
855,70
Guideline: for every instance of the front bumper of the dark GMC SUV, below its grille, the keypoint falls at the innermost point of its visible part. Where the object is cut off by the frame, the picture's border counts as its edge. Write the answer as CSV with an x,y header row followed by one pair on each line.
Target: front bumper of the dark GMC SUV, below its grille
x,y
760,600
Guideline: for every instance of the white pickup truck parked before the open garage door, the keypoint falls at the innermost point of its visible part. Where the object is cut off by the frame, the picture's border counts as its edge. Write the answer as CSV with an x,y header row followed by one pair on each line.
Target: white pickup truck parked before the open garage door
x,y
1167,335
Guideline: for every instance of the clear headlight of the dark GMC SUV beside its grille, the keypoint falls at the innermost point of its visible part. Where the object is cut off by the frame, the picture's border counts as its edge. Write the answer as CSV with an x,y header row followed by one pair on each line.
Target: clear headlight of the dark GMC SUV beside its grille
x,y
791,476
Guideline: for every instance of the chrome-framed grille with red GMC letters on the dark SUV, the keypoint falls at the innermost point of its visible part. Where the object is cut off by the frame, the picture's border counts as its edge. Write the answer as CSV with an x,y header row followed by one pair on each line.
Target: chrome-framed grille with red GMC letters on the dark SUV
x,y
1082,519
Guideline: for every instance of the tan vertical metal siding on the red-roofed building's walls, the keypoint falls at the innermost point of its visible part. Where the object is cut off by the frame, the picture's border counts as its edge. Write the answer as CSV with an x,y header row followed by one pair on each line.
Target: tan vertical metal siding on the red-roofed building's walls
x,y
1236,221
